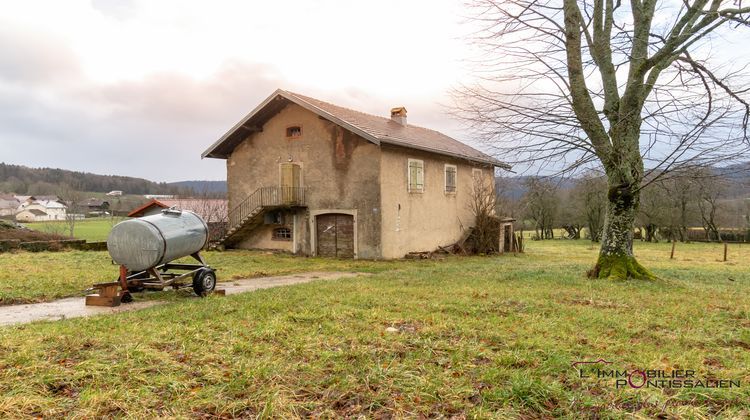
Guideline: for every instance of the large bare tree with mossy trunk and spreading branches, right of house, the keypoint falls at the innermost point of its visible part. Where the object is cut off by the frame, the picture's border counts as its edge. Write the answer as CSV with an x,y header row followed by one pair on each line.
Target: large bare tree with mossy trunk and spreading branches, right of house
x,y
618,85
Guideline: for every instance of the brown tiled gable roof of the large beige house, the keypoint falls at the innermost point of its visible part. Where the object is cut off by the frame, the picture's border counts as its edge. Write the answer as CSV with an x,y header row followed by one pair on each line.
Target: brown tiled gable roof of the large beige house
x,y
371,127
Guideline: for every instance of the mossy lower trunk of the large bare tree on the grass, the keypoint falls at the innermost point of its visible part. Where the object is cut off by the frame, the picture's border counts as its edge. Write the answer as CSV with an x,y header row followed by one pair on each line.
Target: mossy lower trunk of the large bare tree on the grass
x,y
616,260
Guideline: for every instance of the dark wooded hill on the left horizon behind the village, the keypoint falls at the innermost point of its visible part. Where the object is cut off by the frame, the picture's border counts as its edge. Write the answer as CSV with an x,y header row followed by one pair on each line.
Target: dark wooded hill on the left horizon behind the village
x,y
24,180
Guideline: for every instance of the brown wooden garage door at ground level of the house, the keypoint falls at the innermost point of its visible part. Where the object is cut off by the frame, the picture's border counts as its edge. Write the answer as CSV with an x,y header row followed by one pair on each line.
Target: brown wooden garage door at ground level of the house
x,y
335,235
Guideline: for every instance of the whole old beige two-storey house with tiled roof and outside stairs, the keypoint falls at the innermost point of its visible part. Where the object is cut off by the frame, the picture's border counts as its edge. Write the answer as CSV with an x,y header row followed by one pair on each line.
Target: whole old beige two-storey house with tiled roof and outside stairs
x,y
313,178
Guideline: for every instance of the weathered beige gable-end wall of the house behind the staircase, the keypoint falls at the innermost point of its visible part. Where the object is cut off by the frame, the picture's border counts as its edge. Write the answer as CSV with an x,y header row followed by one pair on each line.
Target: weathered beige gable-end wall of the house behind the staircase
x,y
339,169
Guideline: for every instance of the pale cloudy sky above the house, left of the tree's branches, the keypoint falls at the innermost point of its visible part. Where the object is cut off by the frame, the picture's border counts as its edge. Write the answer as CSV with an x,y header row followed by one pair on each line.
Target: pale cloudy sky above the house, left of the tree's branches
x,y
141,88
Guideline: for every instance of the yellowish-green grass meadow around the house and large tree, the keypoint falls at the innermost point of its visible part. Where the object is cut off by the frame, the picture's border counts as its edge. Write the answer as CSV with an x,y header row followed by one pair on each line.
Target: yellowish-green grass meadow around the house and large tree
x,y
481,337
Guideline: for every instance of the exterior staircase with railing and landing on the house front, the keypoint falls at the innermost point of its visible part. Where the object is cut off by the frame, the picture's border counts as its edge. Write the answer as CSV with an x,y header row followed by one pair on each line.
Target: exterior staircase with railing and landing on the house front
x,y
250,212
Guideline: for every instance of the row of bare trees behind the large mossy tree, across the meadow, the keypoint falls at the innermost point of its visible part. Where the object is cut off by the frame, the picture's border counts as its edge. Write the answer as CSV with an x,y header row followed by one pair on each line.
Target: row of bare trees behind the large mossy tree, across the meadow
x,y
697,205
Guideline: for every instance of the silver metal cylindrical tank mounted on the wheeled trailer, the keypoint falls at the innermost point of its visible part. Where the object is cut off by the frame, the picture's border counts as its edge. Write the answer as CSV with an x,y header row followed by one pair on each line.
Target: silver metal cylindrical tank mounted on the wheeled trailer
x,y
146,242
